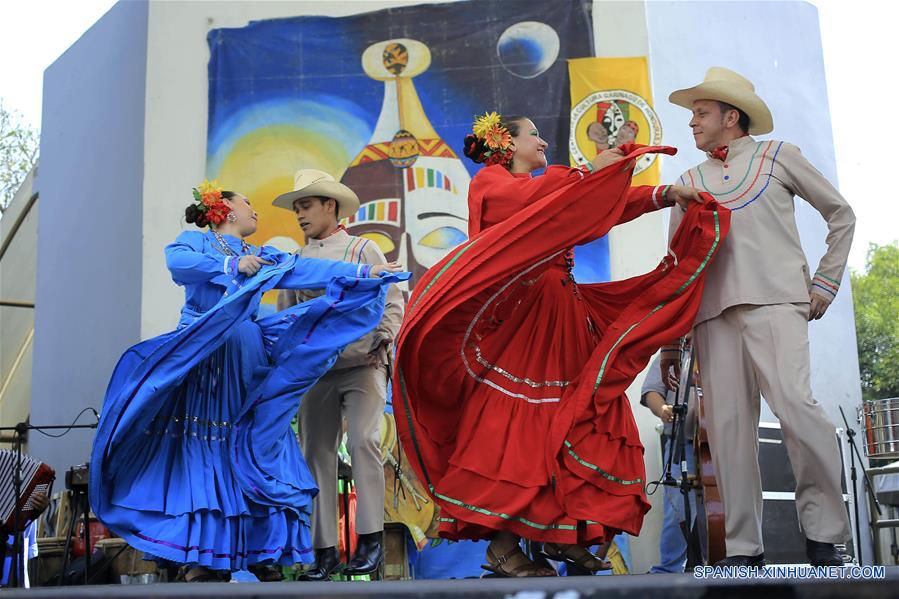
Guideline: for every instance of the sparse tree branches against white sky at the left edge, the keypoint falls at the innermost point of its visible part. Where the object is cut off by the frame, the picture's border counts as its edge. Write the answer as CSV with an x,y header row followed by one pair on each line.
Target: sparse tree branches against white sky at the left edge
x,y
18,153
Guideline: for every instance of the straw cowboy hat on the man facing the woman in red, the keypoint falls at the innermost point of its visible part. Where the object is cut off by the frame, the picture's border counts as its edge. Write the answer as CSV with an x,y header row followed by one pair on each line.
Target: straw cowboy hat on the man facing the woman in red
x,y
725,85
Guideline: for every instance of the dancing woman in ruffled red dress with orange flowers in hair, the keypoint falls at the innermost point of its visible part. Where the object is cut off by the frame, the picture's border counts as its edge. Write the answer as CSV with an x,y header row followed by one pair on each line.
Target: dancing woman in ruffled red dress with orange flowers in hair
x,y
510,376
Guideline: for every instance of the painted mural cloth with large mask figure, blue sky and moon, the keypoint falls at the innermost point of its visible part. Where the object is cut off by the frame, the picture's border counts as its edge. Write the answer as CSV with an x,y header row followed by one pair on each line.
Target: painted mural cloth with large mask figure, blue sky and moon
x,y
382,101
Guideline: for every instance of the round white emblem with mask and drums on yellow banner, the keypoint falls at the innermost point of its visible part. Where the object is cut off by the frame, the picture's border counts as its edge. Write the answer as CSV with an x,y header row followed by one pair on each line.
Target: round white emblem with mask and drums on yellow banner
x,y
606,119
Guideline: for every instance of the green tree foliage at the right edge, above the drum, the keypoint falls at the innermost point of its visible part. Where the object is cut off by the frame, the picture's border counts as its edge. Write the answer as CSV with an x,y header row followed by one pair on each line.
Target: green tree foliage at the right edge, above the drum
x,y
876,297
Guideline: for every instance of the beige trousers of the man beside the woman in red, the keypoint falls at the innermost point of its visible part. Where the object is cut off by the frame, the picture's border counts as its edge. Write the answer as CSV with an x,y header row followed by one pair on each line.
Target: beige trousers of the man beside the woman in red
x,y
751,349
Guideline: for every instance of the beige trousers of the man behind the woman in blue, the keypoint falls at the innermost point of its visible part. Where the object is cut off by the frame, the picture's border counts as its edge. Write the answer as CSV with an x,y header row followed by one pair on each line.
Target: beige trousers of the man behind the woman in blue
x,y
358,393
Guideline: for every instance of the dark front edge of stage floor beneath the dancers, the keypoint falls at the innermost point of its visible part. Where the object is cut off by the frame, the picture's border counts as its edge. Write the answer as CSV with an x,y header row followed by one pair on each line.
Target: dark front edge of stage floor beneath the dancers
x,y
662,586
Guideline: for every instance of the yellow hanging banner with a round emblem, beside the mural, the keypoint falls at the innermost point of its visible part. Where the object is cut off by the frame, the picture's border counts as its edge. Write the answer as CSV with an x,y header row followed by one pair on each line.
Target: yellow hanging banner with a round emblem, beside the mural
x,y
611,104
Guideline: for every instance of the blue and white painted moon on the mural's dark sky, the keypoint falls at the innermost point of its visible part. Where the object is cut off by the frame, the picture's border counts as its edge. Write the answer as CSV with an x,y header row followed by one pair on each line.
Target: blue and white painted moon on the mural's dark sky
x,y
528,49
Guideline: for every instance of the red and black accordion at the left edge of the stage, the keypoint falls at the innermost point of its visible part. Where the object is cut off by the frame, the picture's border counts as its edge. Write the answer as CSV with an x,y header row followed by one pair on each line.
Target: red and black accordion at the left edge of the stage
x,y
37,478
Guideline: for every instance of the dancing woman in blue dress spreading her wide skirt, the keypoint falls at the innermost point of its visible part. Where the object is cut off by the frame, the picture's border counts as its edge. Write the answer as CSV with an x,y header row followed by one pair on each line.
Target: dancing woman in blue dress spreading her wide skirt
x,y
194,460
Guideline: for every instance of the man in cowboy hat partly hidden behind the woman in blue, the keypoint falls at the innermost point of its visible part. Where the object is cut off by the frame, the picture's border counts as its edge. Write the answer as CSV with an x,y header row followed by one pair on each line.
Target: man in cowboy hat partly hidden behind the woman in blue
x,y
355,387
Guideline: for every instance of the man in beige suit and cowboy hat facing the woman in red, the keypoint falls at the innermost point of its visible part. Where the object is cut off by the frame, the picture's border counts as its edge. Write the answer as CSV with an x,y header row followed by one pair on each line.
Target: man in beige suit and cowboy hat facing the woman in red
x,y
751,332
